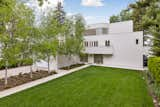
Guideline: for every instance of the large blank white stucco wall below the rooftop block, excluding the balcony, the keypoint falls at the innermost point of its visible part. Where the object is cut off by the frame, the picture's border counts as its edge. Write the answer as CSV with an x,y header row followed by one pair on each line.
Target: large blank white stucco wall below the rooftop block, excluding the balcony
x,y
126,54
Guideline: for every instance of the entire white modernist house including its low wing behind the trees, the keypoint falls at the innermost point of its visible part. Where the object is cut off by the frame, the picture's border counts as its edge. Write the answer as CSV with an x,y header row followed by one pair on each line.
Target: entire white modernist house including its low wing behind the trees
x,y
111,45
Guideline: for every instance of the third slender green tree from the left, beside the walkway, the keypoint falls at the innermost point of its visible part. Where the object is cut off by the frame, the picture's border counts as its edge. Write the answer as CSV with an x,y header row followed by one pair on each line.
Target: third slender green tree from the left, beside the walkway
x,y
49,43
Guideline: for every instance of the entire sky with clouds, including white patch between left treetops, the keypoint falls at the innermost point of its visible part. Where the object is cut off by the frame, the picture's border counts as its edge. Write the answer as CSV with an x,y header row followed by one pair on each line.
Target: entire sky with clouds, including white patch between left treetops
x,y
94,11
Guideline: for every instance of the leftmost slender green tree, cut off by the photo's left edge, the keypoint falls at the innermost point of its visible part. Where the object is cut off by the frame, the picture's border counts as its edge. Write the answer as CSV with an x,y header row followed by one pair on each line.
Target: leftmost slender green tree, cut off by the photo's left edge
x,y
8,20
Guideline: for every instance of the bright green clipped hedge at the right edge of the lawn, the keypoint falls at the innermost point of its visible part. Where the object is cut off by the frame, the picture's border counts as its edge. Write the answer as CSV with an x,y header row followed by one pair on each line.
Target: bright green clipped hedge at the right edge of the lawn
x,y
154,68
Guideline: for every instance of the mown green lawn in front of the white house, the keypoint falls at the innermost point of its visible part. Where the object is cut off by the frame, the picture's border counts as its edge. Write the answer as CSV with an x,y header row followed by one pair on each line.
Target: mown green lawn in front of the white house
x,y
90,87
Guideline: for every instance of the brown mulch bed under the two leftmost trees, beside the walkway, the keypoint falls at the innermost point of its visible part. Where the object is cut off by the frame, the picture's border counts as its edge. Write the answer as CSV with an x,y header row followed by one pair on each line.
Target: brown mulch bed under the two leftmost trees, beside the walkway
x,y
23,78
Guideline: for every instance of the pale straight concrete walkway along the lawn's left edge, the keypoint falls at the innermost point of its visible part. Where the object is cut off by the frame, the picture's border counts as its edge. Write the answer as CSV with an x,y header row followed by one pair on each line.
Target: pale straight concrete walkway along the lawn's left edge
x,y
37,82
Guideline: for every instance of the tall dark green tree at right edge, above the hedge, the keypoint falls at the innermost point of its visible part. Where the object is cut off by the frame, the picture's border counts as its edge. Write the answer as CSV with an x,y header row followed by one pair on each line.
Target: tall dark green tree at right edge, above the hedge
x,y
151,24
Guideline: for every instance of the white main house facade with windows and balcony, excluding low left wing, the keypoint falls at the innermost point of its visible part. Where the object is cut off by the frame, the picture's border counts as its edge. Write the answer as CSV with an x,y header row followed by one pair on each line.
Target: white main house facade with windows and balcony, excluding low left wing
x,y
125,49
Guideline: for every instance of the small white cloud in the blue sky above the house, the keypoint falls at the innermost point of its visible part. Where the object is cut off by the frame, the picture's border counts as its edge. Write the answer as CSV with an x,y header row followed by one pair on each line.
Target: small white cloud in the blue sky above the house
x,y
92,3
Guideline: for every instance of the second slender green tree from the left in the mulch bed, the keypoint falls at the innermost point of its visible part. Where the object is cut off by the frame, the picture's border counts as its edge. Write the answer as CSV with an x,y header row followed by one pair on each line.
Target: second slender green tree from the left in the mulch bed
x,y
29,36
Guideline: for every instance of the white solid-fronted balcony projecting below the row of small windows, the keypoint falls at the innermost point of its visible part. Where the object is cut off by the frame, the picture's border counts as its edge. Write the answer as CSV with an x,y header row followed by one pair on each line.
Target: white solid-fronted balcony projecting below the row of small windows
x,y
99,50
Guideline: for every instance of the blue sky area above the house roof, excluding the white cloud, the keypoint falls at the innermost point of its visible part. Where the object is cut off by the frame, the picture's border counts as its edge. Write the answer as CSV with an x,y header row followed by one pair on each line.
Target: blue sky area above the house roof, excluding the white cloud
x,y
93,13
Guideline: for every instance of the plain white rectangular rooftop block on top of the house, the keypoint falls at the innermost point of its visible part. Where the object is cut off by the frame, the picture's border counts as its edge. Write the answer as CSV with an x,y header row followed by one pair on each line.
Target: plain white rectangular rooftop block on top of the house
x,y
121,27
